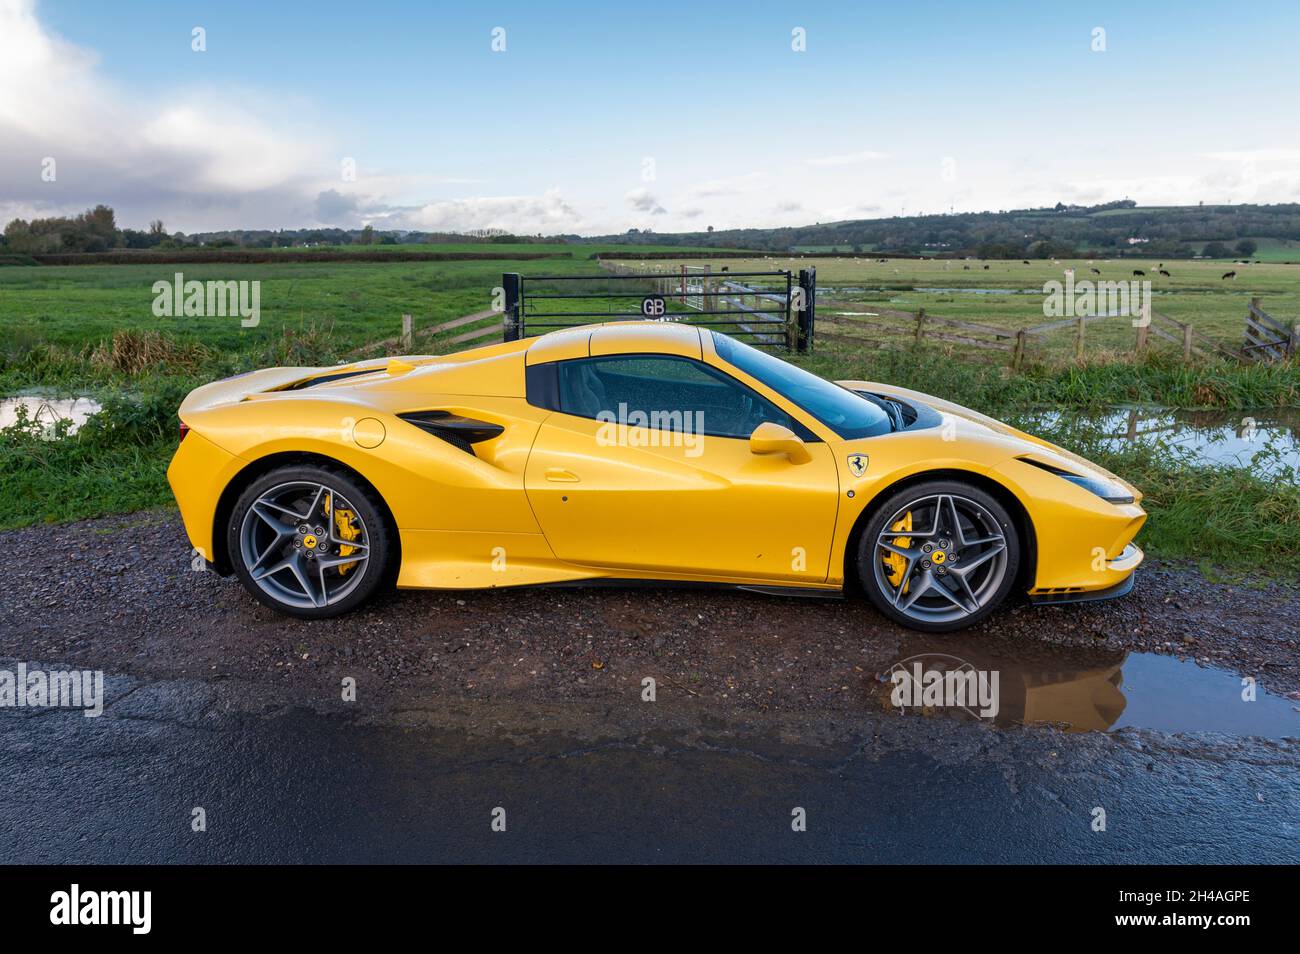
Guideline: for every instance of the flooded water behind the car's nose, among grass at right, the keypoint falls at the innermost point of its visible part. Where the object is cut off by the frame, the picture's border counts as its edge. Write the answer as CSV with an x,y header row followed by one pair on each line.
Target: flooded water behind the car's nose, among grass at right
x,y
1267,441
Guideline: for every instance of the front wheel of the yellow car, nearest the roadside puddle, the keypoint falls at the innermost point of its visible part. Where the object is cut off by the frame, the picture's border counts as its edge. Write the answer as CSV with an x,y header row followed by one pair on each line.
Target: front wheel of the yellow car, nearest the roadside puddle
x,y
939,556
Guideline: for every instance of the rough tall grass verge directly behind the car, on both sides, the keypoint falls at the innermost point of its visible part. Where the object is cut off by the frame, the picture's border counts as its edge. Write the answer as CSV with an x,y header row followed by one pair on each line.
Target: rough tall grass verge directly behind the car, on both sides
x,y
118,462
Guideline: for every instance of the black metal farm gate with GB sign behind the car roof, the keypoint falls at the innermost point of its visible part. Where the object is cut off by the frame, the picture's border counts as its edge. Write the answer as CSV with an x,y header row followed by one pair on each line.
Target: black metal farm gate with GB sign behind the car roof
x,y
772,310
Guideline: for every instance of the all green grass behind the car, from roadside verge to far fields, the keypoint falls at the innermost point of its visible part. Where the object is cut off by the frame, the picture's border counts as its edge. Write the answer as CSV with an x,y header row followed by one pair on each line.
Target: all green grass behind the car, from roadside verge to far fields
x,y
58,327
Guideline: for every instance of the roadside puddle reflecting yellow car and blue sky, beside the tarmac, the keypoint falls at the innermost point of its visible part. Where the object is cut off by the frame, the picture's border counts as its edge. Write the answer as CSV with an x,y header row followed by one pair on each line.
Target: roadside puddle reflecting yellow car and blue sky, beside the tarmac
x,y
1095,692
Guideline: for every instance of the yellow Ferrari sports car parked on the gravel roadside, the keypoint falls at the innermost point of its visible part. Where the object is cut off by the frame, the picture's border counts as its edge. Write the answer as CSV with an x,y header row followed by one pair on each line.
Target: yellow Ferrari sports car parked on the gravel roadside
x,y
636,452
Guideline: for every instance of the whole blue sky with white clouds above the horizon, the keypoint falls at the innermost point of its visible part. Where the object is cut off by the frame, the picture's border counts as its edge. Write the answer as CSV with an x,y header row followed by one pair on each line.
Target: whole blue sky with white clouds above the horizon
x,y
920,107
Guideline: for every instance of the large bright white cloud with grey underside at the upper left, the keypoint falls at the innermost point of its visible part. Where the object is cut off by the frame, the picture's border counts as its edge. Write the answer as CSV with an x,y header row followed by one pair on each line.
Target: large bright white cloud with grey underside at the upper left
x,y
198,161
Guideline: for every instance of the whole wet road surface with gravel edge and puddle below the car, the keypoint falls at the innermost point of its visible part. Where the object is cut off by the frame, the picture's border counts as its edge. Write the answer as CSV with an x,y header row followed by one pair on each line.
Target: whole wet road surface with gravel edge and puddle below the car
x,y
531,701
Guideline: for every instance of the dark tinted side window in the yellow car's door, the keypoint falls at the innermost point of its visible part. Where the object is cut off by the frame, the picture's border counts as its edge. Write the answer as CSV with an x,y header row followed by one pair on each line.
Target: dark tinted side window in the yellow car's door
x,y
666,393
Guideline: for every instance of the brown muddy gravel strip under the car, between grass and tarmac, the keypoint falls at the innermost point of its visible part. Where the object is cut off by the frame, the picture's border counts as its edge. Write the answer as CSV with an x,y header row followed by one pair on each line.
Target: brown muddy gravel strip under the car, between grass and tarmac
x,y
119,595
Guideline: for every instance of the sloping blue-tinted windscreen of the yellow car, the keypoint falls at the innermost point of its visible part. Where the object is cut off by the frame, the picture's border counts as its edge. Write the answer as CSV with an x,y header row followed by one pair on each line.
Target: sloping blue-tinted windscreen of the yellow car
x,y
839,409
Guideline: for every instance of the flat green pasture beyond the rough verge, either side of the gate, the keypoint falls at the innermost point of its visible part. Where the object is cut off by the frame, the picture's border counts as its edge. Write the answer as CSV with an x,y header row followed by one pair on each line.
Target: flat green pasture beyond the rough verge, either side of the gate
x,y
359,302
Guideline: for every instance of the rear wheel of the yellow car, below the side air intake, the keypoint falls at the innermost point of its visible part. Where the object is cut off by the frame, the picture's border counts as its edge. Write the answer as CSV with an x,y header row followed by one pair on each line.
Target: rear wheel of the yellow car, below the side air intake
x,y
310,541
